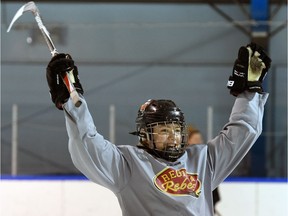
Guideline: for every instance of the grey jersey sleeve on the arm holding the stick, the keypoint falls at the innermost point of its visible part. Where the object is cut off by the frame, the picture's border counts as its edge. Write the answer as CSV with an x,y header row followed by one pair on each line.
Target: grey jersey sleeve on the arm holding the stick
x,y
98,159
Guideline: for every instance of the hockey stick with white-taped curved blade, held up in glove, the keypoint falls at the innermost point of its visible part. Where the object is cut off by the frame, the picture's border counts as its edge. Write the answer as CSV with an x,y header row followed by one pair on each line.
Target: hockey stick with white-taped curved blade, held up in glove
x,y
30,6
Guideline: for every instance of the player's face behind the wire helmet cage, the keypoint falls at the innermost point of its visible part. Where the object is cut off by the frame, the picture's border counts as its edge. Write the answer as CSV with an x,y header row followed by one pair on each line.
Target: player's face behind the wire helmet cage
x,y
167,136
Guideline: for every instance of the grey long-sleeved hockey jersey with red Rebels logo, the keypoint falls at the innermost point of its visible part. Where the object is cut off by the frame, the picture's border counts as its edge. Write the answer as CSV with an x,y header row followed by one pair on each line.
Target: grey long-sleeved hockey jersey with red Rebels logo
x,y
149,186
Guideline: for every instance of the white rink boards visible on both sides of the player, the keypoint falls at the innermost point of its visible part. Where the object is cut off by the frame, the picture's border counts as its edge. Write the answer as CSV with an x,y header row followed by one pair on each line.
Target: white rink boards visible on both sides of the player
x,y
81,197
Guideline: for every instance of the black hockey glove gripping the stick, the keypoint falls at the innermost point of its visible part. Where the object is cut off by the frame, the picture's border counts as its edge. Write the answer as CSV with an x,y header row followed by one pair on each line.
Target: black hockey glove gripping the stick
x,y
57,67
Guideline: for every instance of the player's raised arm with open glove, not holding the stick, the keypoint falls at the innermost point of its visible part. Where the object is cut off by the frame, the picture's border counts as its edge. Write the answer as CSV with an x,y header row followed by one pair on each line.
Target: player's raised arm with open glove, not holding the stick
x,y
245,122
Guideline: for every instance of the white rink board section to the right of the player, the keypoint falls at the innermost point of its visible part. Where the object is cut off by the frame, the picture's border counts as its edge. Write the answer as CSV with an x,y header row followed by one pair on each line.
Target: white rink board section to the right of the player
x,y
253,199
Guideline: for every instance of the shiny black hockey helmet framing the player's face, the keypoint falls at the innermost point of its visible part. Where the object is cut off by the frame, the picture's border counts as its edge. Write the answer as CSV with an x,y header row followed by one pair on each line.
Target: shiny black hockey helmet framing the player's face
x,y
155,112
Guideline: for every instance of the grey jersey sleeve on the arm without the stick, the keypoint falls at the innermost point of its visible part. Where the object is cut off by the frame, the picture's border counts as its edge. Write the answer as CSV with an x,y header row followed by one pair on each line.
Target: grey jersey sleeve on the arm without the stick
x,y
237,137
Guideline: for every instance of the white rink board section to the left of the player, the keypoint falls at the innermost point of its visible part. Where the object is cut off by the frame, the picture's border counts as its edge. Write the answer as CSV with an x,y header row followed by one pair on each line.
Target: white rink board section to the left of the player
x,y
56,198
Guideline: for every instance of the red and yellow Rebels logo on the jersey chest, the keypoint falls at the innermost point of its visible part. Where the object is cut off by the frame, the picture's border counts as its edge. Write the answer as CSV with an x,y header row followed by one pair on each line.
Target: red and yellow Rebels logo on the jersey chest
x,y
178,182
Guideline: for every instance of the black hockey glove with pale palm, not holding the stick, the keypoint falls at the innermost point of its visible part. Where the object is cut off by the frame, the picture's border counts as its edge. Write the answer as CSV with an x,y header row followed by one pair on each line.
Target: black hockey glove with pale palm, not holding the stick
x,y
250,68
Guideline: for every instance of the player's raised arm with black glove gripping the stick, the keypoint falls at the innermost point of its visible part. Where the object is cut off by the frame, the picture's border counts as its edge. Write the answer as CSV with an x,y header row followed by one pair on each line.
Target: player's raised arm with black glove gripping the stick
x,y
98,159
